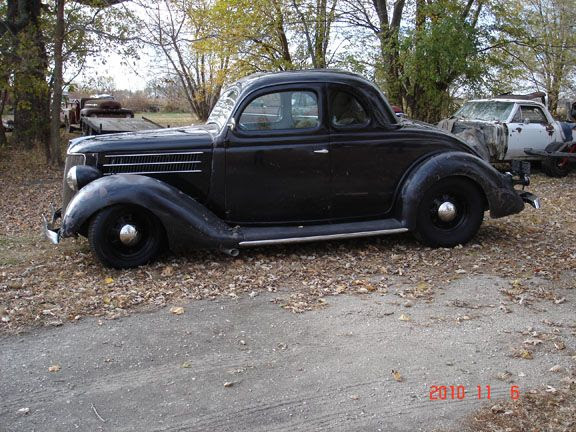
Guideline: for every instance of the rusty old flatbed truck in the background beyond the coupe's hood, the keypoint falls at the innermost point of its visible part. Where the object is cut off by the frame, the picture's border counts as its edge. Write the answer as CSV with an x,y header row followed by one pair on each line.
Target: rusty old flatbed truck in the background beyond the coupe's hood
x,y
101,114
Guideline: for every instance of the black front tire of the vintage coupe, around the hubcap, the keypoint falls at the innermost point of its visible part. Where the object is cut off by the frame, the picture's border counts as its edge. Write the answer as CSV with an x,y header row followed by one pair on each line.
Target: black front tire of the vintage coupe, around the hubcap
x,y
104,236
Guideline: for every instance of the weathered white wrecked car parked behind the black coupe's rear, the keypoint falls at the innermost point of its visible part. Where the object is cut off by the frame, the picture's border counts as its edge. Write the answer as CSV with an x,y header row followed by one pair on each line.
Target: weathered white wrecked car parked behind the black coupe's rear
x,y
510,128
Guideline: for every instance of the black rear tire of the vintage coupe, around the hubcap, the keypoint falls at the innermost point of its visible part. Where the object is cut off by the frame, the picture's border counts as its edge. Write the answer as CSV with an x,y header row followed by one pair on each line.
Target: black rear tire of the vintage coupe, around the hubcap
x,y
468,200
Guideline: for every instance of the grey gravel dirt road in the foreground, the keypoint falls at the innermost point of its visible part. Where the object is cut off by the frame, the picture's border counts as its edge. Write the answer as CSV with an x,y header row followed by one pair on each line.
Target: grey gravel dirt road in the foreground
x,y
247,365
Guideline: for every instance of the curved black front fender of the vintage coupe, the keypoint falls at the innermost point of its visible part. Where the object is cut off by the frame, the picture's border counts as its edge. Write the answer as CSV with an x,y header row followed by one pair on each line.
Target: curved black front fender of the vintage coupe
x,y
185,221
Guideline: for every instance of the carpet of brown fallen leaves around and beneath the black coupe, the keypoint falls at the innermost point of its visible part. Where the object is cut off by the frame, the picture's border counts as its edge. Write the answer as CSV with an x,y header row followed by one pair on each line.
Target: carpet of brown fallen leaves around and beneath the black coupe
x,y
69,278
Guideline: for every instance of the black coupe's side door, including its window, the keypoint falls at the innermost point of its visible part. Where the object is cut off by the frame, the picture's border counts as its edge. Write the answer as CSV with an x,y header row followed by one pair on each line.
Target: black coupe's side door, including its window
x,y
277,159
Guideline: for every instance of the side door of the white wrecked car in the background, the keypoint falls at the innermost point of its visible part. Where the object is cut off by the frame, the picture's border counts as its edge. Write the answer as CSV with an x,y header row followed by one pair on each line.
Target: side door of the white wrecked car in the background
x,y
529,128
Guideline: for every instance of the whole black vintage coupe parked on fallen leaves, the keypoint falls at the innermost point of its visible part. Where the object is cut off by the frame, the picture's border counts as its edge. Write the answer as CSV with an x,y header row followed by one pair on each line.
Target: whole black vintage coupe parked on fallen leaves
x,y
284,158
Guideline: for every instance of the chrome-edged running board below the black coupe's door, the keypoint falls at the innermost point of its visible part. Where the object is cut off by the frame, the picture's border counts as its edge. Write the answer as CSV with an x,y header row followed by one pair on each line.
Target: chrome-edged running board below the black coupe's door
x,y
302,234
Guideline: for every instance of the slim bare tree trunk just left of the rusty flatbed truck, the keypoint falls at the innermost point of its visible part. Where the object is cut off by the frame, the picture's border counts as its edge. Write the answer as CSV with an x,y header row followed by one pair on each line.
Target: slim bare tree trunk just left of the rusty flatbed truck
x,y
55,144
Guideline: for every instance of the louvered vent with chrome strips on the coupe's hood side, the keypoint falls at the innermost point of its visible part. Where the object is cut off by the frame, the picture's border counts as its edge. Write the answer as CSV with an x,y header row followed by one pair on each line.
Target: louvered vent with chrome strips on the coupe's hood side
x,y
152,163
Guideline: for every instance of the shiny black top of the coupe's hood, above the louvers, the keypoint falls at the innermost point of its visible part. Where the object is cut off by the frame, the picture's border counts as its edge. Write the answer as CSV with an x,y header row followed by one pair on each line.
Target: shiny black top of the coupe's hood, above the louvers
x,y
182,138
